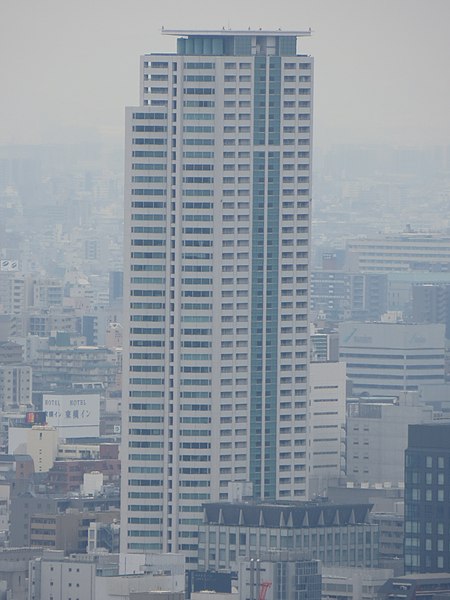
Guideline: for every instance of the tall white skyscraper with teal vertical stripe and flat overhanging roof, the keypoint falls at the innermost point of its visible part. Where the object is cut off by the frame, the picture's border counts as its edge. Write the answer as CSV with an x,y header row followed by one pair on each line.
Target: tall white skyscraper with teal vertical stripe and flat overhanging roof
x,y
216,281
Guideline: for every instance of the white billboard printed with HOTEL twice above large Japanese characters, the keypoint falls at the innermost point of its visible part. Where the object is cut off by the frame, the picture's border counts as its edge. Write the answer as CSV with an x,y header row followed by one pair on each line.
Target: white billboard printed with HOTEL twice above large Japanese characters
x,y
73,415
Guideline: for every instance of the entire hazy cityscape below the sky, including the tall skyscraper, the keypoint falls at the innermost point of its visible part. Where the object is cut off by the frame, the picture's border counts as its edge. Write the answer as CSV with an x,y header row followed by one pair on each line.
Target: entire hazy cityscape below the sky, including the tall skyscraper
x,y
224,366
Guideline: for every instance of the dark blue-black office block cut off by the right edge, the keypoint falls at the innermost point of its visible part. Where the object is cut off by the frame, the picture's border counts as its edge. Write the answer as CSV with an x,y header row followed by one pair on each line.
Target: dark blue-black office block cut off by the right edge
x,y
427,498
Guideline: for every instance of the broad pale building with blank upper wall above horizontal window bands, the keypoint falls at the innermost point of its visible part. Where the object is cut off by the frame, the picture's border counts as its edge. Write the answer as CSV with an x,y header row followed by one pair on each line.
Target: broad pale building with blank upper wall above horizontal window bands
x,y
388,358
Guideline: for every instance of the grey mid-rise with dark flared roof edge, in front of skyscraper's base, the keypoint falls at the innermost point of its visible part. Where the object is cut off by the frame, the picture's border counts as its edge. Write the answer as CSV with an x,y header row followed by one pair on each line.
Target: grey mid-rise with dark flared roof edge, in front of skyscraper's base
x,y
334,534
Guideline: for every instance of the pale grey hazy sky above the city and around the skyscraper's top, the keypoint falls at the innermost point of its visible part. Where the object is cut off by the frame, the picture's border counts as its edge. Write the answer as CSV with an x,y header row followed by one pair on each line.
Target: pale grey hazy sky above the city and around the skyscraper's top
x,y
68,67
